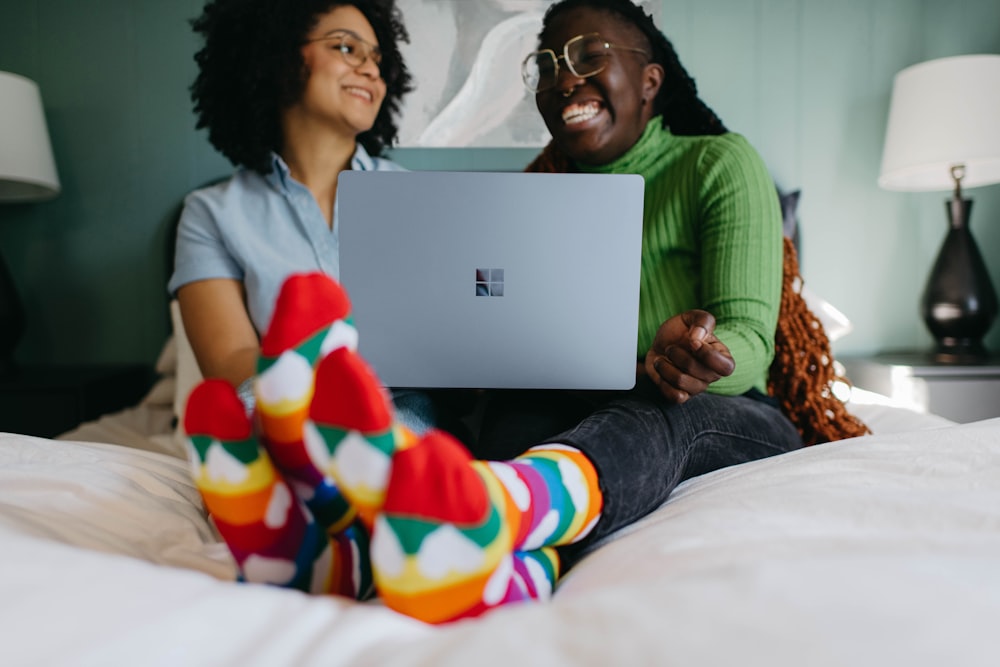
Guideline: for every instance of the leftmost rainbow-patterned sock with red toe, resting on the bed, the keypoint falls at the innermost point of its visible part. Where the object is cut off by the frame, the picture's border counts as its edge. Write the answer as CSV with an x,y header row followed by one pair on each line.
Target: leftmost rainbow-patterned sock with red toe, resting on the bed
x,y
272,536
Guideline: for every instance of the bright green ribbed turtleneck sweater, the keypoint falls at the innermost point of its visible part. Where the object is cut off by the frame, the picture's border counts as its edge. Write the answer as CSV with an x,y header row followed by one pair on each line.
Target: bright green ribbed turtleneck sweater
x,y
712,239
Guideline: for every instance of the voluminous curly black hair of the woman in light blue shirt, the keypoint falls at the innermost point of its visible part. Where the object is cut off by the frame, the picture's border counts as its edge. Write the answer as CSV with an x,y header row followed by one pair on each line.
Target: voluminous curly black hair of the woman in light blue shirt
x,y
251,68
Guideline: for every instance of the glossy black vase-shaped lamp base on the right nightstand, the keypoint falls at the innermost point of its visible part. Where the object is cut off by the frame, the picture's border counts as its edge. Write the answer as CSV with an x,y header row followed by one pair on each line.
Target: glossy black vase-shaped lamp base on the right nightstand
x,y
959,303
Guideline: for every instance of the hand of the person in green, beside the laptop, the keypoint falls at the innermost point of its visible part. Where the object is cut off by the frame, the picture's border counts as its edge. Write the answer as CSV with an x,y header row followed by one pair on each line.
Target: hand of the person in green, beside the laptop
x,y
686,356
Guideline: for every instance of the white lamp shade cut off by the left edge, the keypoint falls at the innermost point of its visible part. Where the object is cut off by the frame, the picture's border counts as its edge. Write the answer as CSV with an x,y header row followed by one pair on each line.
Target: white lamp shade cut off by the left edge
x,y
27,168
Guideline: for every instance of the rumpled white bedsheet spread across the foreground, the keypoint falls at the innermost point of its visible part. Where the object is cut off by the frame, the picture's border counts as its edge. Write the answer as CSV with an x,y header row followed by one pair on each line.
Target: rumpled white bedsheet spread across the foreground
x,y
882,550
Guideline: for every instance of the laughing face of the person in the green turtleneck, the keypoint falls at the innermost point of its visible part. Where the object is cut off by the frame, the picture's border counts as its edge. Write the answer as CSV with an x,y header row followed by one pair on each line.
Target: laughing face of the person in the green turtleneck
x,y
597,119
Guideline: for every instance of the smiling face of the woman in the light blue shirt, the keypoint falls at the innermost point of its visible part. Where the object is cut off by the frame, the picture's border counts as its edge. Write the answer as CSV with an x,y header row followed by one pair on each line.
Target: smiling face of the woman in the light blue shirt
x,y
342,96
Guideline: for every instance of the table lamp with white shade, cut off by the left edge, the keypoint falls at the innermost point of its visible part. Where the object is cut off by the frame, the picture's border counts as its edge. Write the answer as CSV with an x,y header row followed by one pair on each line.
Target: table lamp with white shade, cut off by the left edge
x,y
27,173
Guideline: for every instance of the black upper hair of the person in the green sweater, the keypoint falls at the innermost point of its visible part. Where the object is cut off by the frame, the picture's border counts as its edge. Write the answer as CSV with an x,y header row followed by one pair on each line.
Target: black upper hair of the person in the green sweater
x,y
684,113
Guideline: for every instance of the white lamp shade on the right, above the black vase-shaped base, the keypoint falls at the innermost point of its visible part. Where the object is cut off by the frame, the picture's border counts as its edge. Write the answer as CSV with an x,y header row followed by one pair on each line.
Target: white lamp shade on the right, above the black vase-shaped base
x,y
943,113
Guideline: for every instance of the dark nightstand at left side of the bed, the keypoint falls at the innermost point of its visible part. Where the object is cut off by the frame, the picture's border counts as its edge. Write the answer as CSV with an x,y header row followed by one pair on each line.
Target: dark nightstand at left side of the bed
x,y
48,400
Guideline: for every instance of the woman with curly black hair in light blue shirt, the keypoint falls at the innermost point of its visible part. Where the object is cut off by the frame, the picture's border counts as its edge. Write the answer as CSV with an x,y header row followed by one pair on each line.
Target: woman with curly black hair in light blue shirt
x,y
292,98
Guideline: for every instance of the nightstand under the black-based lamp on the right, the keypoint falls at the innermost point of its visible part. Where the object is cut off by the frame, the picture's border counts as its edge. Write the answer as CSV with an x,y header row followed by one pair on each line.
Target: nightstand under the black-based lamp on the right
x,y
962,392
